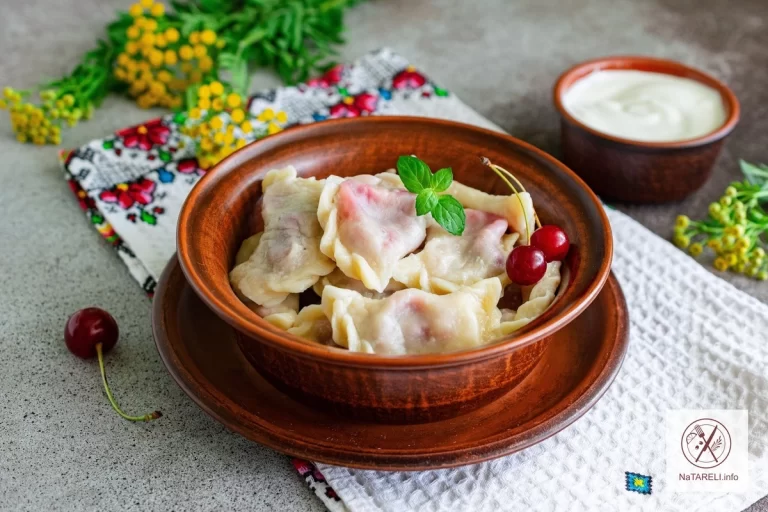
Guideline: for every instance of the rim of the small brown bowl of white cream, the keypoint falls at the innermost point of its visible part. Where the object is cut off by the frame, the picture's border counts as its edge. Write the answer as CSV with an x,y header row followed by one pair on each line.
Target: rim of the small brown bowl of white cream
x,y
629,62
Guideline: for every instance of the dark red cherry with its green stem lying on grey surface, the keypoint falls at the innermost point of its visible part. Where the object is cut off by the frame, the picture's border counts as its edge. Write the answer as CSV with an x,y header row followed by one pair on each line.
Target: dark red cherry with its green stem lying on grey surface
x,y
91,332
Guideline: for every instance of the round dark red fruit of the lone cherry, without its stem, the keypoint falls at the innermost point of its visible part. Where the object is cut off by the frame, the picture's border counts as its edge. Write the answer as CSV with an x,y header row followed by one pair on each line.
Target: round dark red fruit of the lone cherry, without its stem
x,y
87,328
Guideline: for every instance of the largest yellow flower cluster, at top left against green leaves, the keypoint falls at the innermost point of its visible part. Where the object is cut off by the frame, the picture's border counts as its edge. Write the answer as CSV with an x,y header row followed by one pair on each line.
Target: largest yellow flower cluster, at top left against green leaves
x,y
157,63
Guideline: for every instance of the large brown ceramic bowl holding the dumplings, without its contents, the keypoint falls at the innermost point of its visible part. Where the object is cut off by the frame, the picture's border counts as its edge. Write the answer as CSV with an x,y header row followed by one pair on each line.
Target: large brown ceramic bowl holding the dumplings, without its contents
x,y
222,210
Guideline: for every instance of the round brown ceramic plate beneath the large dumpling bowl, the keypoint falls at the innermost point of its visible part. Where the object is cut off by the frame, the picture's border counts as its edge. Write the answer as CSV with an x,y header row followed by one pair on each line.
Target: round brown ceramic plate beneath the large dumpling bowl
x,y
201,353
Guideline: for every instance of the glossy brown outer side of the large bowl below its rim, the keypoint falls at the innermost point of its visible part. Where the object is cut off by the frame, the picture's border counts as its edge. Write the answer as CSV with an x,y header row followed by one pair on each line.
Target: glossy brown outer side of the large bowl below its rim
x,y
411,395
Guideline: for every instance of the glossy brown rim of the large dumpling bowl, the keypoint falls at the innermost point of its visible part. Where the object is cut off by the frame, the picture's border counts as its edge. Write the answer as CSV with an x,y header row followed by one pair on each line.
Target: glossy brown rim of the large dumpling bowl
x,y
261,331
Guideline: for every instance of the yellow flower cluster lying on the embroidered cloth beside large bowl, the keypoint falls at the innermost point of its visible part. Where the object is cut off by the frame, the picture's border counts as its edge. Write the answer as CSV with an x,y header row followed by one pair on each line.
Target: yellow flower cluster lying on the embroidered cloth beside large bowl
x,y
220,124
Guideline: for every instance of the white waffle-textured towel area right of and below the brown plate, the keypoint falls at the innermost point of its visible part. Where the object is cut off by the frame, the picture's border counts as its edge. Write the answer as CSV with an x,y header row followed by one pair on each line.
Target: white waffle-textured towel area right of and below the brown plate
x,y
696,342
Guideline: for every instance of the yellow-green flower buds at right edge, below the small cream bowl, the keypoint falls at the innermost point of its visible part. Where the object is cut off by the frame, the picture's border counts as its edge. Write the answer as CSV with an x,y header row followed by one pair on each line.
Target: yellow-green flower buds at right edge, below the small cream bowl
x,y
734,250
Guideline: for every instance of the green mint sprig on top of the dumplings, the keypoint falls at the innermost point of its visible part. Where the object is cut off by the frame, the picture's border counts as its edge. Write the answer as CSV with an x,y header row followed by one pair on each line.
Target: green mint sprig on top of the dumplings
x,y
419,179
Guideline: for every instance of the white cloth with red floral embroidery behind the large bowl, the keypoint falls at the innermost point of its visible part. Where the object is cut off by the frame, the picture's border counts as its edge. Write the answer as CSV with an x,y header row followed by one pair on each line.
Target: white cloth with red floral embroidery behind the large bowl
x,y
133,183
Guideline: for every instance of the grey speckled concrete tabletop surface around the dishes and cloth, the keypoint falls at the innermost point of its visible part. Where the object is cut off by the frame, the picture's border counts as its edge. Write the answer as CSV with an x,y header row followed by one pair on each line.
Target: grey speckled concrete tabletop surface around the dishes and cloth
x,y
61,447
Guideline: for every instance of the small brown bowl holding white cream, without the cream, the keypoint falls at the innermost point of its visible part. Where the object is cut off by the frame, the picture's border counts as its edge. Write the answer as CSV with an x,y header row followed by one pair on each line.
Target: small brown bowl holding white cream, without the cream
x,y
636,171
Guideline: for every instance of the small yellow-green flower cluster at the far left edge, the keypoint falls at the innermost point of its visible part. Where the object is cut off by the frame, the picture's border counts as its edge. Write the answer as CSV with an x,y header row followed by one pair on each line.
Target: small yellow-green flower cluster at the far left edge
x,y
41,124
